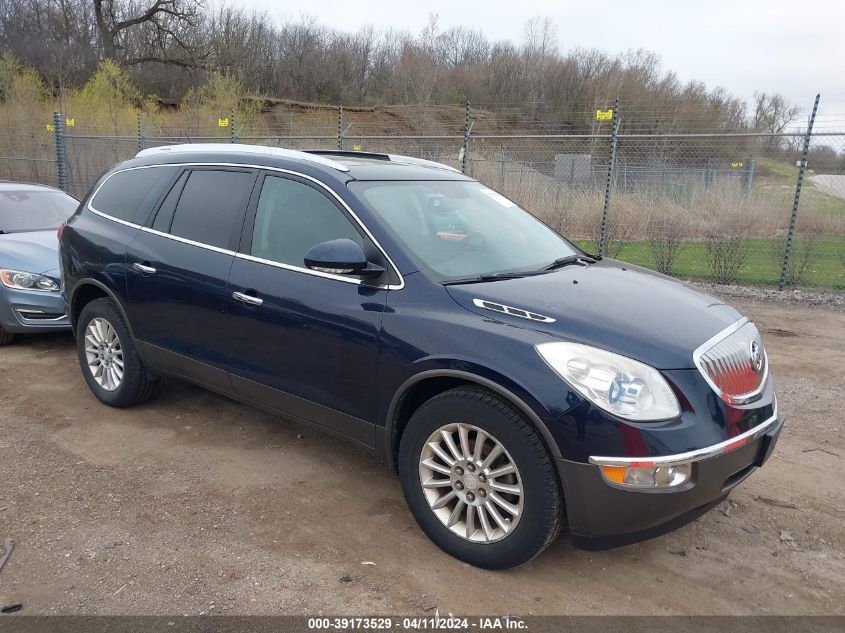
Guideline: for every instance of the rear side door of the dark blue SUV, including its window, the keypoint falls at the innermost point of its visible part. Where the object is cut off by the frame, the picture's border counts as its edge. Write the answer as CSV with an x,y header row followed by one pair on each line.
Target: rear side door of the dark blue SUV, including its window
x,y
178,267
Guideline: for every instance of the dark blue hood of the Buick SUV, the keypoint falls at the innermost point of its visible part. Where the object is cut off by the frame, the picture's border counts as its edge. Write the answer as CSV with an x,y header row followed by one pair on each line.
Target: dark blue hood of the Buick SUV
x,y
614,306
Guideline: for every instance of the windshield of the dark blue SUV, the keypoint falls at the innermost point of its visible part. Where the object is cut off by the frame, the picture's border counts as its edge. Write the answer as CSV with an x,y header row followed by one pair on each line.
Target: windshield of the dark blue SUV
x,y
460,229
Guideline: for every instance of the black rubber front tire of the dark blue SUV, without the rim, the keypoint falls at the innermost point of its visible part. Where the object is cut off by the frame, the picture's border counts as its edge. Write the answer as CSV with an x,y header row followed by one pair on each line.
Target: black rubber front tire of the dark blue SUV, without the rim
x,y
540,520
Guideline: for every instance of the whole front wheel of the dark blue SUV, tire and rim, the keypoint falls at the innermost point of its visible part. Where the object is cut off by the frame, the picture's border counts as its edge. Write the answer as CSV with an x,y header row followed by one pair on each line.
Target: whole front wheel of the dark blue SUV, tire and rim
x,y
478,479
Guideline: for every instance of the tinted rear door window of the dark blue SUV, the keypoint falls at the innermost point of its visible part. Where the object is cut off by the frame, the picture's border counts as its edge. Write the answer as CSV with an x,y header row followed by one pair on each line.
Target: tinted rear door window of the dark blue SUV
x,y
209,204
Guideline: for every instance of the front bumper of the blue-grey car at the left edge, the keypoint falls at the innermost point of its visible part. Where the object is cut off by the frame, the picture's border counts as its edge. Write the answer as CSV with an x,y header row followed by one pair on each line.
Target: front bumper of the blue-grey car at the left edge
x,y
30,311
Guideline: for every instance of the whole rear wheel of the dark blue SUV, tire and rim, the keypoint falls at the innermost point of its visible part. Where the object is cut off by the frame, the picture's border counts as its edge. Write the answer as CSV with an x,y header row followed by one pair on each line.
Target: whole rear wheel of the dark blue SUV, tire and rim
x,y
107,356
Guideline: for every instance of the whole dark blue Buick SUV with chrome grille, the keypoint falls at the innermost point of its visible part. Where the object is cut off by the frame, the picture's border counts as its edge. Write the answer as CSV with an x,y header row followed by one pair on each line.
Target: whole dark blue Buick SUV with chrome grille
x,y
516,383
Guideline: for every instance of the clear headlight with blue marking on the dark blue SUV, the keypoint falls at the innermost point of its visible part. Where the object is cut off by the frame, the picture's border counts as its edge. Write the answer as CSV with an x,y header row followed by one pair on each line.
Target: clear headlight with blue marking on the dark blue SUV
x,y
617,384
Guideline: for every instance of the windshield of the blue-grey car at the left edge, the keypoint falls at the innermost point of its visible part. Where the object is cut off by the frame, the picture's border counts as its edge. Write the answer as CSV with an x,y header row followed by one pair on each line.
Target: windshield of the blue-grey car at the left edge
x,y
34,210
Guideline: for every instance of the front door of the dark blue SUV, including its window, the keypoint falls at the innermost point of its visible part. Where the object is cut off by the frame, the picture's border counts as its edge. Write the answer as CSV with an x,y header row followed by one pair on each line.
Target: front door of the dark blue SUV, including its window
x,y
301,342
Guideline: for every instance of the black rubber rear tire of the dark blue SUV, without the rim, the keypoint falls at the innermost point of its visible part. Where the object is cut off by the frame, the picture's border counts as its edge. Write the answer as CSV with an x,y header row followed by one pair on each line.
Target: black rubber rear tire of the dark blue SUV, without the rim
x,y
137,385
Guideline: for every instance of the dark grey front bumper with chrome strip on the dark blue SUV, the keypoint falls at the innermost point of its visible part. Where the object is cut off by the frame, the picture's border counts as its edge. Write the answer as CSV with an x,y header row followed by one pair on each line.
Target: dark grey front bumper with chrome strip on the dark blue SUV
x,y
603,515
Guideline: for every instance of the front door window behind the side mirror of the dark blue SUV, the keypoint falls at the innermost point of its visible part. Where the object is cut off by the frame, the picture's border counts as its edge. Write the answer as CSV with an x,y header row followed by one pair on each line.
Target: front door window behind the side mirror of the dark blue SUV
x,y
292,217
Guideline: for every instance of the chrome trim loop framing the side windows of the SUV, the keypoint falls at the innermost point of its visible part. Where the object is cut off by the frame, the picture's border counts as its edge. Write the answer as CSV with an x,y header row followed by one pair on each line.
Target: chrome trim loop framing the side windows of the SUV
x,y
247,256
